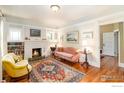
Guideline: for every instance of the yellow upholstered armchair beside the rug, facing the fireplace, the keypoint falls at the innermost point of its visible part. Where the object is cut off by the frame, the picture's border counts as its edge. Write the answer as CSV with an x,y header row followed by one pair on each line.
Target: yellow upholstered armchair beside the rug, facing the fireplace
x,y
15,69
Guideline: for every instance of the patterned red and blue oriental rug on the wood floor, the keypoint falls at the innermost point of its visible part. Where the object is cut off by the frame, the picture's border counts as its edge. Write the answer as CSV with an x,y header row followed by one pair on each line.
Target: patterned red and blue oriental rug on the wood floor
x,y
51,70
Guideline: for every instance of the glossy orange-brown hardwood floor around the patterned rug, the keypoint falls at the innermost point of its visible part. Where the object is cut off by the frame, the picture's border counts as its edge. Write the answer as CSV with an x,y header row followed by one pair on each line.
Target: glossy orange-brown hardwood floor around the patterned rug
x,y
108,72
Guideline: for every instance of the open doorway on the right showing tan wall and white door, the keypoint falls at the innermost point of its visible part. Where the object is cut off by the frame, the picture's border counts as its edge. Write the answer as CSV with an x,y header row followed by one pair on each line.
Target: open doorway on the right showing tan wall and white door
x,y
109,44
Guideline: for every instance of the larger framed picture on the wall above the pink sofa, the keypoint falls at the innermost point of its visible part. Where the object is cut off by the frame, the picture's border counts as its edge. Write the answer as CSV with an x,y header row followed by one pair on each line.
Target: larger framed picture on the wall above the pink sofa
x,y
72,37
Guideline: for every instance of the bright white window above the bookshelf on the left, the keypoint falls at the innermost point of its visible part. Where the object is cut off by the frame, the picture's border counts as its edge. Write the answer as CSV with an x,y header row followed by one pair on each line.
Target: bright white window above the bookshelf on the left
x,y
15,33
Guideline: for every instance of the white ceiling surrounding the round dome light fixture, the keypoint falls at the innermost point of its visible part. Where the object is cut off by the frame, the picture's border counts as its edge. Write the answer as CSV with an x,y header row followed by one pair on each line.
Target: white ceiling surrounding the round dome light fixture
x,y
68,14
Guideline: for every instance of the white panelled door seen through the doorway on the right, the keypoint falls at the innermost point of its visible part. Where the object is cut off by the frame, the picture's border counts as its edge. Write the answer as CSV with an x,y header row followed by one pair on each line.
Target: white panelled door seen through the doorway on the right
x,y
108,43
